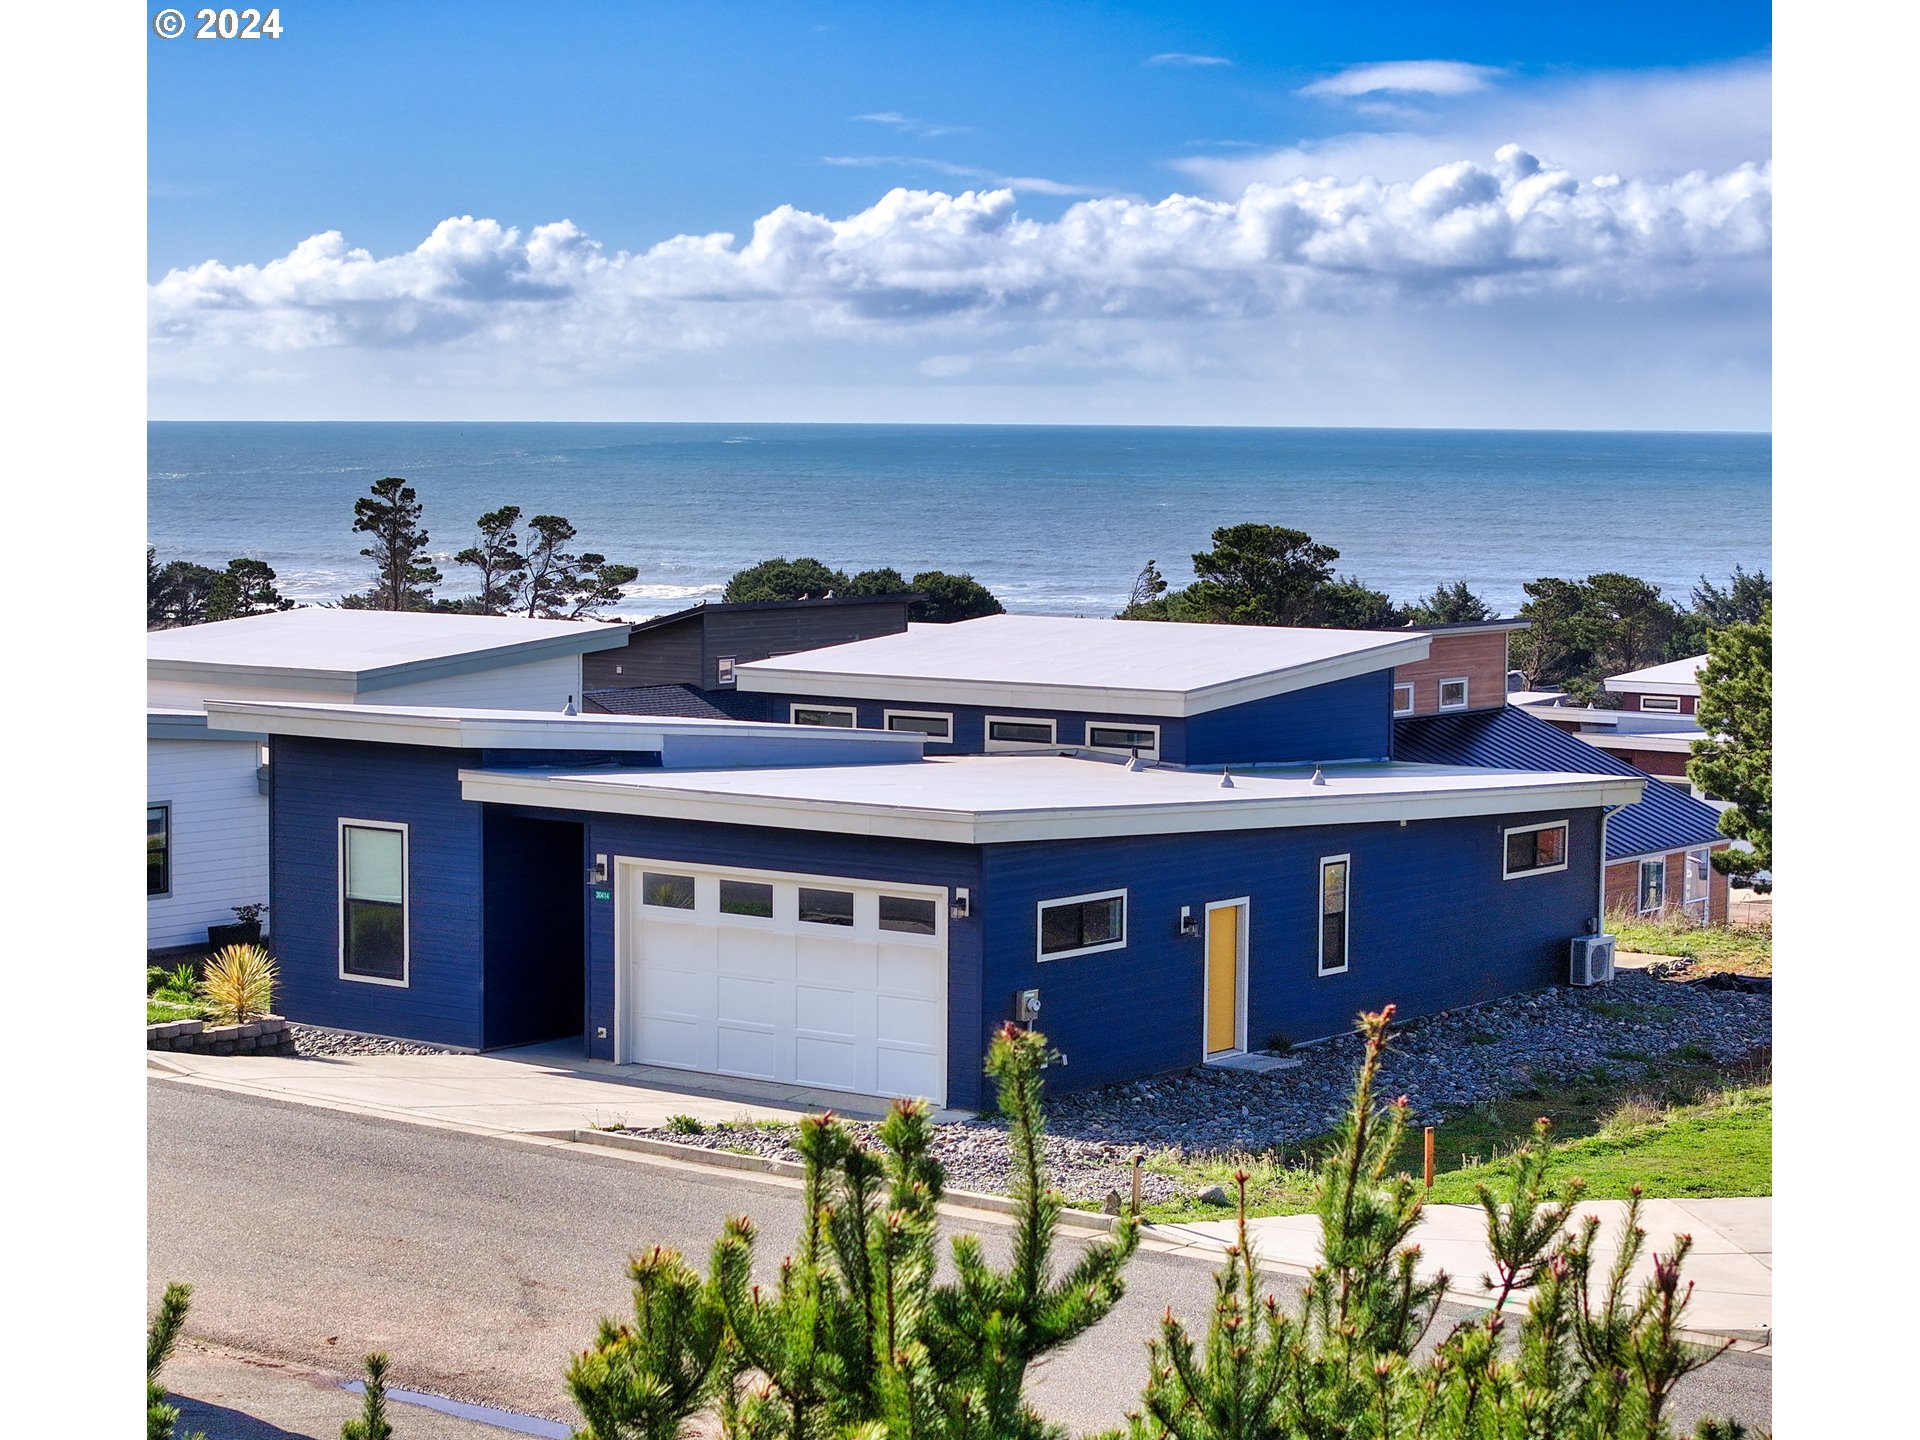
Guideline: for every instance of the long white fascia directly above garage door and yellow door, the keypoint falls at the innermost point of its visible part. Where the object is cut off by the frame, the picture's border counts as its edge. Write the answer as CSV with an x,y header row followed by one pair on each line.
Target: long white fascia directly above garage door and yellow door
x,y
1040,825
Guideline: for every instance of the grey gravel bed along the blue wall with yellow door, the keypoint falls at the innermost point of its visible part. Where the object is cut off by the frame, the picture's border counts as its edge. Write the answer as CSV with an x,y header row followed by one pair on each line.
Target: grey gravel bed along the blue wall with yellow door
x,y
1447,1063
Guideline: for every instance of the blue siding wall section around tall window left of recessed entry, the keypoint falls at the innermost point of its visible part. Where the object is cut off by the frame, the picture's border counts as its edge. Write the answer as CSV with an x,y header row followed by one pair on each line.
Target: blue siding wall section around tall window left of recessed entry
x,y
316,784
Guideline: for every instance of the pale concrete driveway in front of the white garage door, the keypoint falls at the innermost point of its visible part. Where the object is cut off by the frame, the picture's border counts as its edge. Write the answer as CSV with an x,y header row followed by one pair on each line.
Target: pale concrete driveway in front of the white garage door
x,y
537,1088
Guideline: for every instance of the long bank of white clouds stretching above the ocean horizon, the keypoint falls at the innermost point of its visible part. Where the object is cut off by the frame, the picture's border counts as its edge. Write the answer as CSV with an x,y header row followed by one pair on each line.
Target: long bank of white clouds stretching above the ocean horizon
x,y
1464,295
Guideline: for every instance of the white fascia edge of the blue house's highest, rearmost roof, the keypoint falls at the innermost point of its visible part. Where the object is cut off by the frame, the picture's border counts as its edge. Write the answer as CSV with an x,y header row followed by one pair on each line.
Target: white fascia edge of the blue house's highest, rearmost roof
x,y
767,679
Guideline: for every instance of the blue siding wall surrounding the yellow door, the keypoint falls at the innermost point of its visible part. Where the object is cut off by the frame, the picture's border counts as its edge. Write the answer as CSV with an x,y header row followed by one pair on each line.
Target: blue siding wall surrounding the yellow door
x,y
1433,926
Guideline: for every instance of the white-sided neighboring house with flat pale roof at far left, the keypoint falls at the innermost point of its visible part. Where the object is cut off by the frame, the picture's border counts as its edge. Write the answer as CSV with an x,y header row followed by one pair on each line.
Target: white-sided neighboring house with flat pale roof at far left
x,y
206,792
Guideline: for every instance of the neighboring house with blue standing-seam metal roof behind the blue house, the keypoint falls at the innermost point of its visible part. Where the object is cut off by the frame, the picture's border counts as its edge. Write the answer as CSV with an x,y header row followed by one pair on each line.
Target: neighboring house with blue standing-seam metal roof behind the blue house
x,y
1656,848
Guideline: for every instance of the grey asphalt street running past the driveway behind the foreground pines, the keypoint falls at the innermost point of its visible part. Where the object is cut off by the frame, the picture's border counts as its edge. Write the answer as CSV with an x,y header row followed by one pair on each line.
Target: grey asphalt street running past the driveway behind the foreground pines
x,y
483,1264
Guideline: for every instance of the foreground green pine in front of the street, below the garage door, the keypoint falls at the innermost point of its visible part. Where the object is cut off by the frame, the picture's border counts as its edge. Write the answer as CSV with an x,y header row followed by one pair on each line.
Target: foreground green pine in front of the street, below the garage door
x,y
857,1335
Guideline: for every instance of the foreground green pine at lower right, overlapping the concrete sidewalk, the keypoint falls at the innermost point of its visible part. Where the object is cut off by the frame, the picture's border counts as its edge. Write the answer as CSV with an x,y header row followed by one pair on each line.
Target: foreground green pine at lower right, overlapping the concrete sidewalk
x,y
1591,1362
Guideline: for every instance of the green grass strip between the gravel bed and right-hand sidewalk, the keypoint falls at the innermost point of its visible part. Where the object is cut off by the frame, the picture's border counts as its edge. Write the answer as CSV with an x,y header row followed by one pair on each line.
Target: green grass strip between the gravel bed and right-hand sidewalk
x,y
1692,1130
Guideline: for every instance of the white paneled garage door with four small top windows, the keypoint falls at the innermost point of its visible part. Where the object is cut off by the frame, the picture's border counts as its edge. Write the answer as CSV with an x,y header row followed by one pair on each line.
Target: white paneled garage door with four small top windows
x,y
805,980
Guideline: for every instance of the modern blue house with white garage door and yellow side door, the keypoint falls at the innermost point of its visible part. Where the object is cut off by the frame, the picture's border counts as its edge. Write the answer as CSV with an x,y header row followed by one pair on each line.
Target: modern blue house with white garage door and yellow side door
x,y
1164,844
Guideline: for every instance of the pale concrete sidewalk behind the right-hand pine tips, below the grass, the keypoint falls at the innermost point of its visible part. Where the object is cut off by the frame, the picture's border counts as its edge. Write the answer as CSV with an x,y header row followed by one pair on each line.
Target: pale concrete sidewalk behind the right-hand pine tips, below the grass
x,y
1731,1266
